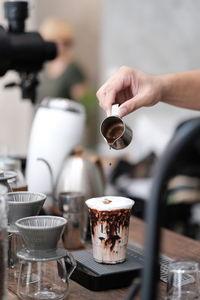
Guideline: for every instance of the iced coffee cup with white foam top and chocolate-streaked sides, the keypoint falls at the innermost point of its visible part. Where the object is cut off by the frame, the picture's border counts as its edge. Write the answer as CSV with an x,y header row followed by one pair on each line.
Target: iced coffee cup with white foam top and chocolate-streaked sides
x,y
109,219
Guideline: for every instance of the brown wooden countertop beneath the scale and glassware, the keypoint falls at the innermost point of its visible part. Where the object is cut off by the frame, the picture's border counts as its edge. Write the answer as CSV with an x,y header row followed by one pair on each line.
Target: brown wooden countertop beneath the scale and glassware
x,y
173,245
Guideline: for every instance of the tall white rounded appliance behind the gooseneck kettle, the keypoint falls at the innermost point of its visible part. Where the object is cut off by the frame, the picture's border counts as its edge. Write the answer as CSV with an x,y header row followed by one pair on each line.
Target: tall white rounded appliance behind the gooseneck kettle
x,y
57,128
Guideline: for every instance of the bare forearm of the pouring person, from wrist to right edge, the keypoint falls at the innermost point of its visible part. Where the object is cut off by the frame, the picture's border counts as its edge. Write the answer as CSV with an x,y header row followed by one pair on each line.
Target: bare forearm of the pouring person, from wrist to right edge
x,y
181,89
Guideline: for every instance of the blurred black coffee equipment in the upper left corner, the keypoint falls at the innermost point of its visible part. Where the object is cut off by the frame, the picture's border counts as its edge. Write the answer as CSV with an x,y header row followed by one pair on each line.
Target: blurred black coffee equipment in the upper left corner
x,y
23,52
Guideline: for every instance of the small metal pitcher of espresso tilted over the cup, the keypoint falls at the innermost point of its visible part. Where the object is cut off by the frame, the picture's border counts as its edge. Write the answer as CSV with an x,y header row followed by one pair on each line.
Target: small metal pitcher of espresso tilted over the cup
x,y
116,133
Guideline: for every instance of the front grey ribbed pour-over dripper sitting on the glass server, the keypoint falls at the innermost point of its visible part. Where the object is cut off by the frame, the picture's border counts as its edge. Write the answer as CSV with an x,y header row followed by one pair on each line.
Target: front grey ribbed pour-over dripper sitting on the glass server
x,y
41,235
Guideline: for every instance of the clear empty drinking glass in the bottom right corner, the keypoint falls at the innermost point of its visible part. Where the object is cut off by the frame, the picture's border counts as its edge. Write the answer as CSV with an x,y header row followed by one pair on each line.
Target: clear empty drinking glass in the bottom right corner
x,y
183,281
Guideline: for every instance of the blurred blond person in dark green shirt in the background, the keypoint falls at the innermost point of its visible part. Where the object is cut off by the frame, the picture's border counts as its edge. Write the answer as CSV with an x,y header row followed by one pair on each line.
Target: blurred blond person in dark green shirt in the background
x,y
63,77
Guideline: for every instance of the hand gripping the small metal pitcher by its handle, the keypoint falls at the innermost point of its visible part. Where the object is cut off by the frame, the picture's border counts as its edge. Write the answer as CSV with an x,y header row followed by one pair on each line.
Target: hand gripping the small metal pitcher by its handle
x,y
131,89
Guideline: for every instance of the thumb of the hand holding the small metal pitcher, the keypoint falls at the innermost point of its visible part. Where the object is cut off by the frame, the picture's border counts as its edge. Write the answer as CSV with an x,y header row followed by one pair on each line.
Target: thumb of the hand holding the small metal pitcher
x,y
131,105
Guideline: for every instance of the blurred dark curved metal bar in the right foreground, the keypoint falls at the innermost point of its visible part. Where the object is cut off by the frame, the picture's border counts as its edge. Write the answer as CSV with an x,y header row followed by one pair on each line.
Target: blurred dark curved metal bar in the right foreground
x,y
182,138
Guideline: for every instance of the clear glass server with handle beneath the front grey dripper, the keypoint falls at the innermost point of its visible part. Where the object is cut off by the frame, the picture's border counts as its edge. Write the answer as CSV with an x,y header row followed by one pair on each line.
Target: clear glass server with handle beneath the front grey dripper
x,y
41,279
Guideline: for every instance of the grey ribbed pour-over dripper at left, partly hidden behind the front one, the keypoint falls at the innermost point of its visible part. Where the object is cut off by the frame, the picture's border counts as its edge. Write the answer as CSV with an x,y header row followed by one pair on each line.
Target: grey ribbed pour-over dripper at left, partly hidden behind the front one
x,y
22,204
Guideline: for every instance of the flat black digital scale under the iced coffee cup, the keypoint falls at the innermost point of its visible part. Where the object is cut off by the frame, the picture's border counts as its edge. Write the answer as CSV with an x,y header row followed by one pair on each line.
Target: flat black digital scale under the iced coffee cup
x,y
99,277
